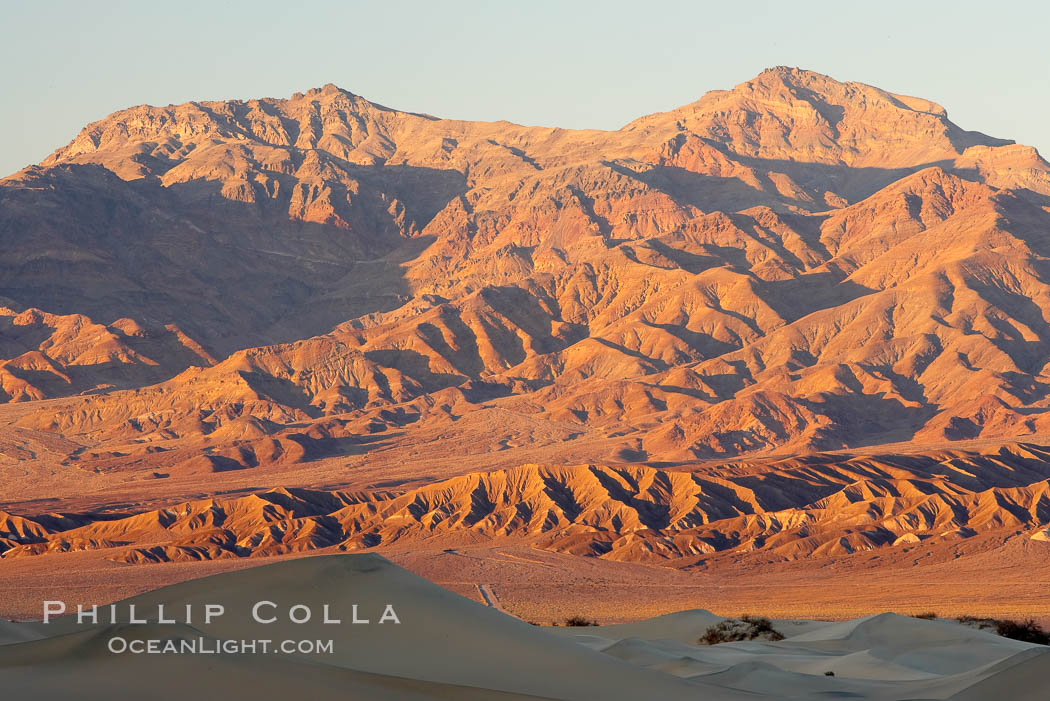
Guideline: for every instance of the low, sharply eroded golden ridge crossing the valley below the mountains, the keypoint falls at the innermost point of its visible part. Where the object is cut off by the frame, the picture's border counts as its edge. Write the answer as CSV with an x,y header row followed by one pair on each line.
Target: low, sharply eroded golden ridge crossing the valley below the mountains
x,y
820,507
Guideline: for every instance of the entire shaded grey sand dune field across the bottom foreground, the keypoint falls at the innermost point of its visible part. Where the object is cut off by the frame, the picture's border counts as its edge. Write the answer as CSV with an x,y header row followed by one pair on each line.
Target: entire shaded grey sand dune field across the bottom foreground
x,y
450,648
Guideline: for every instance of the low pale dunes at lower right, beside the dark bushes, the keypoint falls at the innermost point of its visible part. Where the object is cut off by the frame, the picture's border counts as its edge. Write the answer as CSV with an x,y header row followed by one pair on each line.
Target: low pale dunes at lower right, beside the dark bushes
x,y
886,657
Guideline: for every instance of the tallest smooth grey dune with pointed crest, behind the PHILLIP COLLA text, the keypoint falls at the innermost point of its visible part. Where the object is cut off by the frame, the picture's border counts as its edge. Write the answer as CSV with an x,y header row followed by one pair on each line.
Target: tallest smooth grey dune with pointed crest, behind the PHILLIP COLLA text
x,y
444,639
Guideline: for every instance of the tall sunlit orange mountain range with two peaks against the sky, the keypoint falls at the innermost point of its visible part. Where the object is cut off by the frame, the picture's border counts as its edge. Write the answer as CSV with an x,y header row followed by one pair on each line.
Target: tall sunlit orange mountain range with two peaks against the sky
x,y
796,264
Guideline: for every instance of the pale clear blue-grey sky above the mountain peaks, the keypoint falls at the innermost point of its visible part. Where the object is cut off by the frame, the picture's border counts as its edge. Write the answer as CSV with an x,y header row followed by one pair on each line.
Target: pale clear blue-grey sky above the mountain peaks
x,y
570,65
